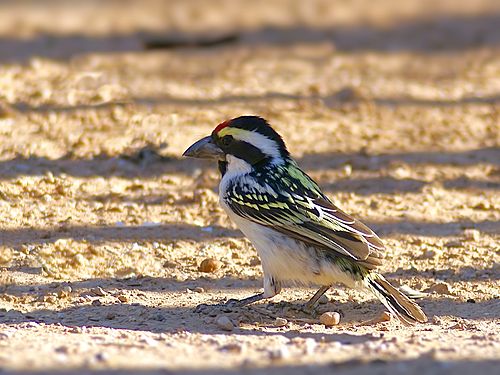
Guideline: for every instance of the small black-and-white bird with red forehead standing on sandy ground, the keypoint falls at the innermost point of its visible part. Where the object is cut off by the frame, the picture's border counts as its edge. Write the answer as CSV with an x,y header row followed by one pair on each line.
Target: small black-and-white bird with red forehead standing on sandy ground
x,y
300,235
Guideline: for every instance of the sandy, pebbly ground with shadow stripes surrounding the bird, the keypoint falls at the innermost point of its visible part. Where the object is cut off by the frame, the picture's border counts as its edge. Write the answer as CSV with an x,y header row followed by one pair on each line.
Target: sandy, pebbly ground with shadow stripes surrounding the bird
x,y
393,107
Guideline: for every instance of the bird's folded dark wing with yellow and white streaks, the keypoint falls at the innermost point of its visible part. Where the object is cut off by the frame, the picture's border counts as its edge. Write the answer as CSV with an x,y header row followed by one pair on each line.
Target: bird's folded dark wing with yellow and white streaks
x,y
298,208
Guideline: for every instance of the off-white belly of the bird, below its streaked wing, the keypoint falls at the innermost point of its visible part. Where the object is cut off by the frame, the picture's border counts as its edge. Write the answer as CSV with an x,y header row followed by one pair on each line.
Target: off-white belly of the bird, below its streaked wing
x,y
286,259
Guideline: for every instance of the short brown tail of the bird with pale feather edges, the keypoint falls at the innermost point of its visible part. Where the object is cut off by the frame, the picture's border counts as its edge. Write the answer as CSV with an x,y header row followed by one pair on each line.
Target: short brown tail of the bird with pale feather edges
x,y
398,303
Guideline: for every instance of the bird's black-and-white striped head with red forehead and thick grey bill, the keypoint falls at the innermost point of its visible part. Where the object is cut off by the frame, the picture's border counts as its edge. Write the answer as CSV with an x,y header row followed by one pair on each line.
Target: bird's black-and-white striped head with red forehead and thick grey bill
x,y
247,138
